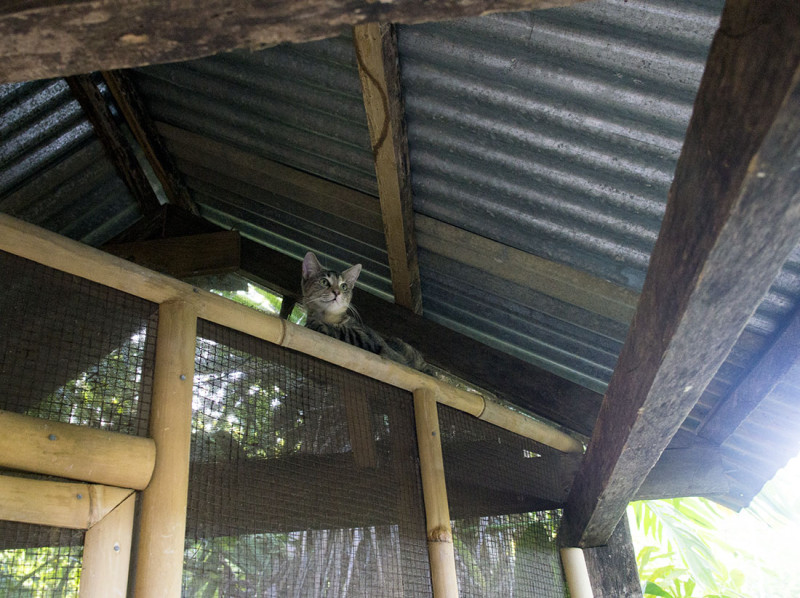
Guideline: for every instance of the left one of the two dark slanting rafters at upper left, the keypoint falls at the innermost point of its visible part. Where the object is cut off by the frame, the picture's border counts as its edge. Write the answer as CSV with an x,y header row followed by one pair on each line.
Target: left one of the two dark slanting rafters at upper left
x,y
114,142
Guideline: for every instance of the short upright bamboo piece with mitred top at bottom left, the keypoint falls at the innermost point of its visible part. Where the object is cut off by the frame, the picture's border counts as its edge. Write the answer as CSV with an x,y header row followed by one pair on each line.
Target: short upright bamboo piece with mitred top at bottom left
x,y
107,554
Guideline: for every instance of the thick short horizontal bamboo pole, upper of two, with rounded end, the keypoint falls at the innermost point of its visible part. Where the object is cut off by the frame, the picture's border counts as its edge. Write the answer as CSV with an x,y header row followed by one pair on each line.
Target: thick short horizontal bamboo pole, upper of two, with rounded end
x,y
78,452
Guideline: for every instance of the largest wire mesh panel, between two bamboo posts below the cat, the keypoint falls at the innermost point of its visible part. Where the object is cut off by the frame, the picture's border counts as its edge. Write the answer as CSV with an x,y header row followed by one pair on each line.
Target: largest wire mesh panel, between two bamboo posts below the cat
x,y
304,478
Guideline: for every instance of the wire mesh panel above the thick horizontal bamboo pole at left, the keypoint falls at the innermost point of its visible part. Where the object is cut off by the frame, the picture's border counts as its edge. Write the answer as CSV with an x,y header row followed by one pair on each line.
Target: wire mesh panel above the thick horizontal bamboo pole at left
x,y
74,351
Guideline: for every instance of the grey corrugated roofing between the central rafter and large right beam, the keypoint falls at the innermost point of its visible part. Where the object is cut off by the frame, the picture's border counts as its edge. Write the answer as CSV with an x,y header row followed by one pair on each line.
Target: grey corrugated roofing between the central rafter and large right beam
x,y
555,132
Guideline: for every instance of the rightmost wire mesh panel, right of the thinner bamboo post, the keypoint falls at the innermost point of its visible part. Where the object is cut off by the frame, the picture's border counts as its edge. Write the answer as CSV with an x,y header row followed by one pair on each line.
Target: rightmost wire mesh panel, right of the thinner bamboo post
x,y
503,491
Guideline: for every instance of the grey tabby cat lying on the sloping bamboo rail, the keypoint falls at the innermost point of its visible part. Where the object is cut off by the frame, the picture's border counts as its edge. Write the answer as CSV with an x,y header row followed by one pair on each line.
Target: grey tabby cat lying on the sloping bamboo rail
x,y
326,297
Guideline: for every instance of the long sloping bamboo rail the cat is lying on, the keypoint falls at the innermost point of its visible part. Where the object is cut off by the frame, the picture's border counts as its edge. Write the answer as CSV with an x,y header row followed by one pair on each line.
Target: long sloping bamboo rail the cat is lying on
x,y
55,251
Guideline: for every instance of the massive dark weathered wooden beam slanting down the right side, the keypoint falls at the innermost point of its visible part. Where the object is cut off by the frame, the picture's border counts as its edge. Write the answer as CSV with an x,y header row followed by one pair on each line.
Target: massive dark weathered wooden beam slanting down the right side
x,y
732,217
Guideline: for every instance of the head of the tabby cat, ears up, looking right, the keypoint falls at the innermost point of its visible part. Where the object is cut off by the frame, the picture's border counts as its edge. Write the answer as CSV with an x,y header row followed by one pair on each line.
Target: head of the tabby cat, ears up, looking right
x,y
326,293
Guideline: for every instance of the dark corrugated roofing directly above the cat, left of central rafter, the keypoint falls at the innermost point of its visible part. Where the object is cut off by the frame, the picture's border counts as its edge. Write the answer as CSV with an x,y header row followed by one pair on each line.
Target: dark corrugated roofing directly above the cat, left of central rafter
x,y
297,105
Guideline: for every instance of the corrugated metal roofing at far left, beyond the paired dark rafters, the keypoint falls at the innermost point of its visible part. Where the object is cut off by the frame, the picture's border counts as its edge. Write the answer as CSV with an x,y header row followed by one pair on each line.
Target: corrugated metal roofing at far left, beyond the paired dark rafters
x,y
53,171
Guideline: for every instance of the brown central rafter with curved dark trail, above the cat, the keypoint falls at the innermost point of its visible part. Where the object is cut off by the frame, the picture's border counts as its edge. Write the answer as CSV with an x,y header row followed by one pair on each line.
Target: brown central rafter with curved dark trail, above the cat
x,y
379,71
